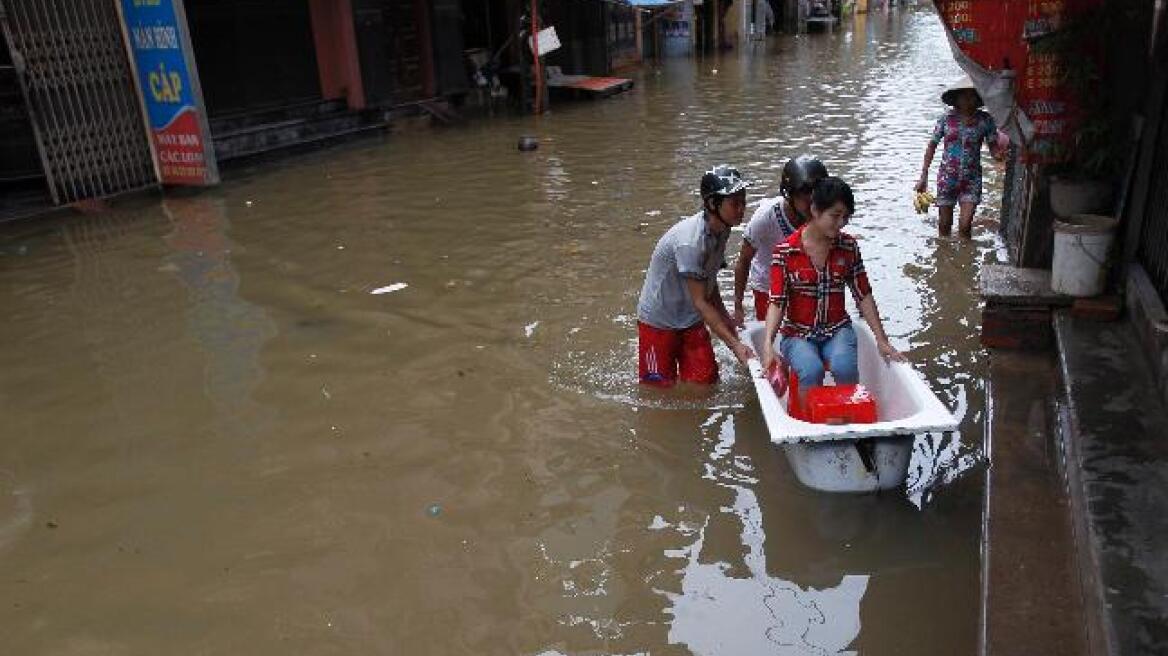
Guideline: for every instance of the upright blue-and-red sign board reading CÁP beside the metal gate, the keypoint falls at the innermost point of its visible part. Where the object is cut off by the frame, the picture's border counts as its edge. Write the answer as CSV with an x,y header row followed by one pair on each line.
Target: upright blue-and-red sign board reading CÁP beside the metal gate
x,y
169,86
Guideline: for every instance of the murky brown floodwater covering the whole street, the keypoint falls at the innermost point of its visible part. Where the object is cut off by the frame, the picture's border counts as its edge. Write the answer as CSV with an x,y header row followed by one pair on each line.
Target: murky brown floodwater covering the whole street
x,y
380,399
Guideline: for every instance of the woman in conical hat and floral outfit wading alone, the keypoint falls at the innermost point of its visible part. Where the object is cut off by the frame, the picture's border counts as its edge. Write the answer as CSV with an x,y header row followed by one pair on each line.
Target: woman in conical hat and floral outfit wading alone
x,y
961,131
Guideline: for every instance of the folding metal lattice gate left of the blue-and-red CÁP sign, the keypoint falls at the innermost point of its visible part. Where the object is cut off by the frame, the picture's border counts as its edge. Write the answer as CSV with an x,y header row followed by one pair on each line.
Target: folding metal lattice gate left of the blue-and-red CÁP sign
x,y
72,62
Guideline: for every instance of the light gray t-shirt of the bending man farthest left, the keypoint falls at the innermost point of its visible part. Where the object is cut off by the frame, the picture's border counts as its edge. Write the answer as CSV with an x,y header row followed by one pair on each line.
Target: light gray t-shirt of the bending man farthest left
x,y
687,250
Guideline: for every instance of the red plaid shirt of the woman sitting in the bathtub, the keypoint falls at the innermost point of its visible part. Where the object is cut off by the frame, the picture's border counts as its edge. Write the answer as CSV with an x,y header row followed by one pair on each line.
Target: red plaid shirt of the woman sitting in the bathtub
x,y
812,301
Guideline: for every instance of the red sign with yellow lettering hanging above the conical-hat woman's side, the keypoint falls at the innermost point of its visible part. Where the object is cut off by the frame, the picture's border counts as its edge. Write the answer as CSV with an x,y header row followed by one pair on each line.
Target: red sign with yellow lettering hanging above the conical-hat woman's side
x,y
1007,34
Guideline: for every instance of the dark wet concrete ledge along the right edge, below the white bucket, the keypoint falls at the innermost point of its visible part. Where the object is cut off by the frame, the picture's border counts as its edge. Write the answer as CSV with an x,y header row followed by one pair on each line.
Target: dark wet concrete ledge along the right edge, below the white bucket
x,y
1115,431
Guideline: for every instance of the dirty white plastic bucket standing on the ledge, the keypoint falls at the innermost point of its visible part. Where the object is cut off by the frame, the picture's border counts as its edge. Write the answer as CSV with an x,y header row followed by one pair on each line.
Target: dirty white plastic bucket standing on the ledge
x,y
1082,243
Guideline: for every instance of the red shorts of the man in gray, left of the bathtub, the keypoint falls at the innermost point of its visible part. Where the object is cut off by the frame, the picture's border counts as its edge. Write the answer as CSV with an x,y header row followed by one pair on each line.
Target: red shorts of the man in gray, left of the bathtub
x,y
664,353
